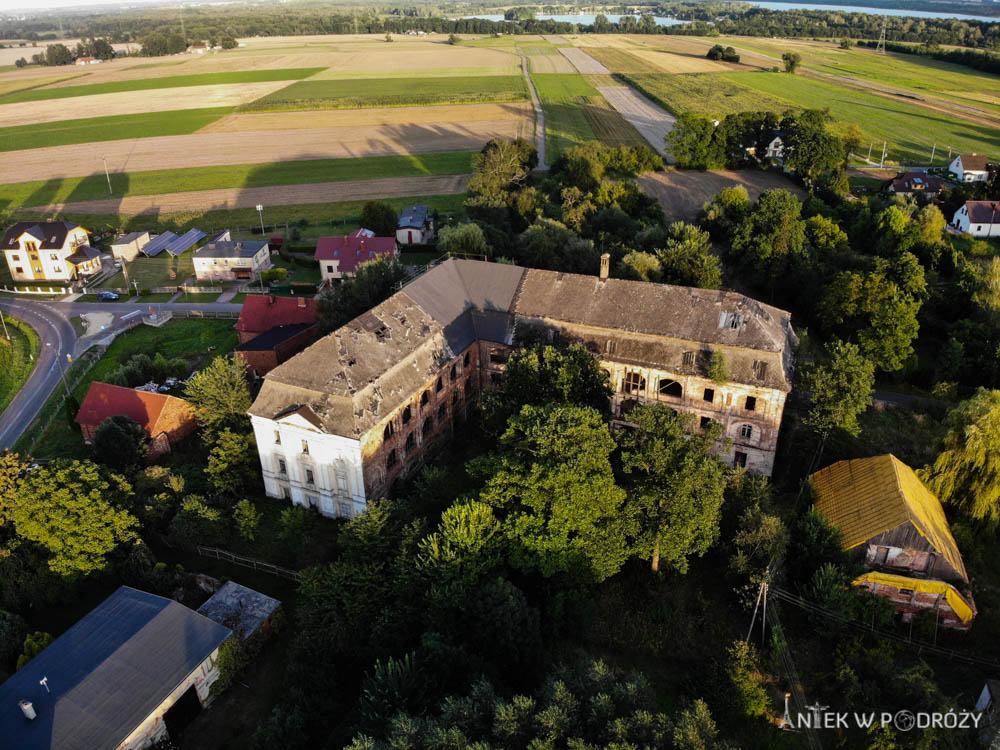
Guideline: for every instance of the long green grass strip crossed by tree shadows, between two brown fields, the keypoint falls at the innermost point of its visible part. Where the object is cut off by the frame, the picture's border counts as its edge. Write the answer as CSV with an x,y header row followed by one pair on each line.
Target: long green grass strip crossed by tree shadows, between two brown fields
x,y
159,182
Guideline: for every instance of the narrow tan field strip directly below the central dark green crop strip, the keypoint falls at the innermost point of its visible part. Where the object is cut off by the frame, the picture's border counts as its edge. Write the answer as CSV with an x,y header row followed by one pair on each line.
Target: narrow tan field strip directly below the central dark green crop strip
x,y
515,112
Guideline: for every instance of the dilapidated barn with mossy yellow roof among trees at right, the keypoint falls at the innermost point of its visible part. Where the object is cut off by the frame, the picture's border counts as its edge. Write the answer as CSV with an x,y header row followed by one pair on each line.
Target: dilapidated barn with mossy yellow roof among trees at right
x,y
897,528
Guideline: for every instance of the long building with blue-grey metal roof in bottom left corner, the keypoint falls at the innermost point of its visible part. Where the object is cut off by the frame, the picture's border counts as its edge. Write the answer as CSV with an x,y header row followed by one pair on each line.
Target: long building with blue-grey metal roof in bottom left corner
x,y
107,674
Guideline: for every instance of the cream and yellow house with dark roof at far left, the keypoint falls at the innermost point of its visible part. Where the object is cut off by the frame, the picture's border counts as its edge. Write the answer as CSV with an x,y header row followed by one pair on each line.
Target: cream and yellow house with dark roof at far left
x,y
49,251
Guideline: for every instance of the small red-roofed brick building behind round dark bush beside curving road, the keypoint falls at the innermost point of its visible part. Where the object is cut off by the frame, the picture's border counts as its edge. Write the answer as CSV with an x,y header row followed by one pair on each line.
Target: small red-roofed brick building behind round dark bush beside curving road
x,y
166,419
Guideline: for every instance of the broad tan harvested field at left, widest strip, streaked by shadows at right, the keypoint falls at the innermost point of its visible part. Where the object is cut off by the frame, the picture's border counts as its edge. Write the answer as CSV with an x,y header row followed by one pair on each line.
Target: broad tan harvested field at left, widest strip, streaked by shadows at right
x,y
254,147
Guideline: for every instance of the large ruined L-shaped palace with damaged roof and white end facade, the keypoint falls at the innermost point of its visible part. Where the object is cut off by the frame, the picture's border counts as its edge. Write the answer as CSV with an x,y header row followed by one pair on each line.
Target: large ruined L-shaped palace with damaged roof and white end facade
x,y
364,406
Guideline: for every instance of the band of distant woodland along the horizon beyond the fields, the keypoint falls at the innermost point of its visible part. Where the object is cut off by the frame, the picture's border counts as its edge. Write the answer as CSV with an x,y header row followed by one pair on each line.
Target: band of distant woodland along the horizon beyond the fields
x,y
706,19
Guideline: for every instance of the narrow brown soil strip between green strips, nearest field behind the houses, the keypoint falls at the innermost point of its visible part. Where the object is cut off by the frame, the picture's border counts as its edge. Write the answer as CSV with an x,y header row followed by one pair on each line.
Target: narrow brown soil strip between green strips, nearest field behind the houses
x,y
284,195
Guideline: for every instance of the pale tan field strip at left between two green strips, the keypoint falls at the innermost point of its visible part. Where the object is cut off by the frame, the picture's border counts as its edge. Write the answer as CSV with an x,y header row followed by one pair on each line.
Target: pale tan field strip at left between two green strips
x,y
129,102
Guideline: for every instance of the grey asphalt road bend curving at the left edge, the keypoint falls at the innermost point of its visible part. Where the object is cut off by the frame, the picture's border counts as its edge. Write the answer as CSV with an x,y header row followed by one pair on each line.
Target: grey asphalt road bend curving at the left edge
x,y
57,340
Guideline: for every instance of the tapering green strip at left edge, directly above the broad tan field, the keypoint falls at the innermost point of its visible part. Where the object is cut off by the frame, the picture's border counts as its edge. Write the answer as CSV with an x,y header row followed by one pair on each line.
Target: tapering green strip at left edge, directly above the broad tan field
x,y
118,127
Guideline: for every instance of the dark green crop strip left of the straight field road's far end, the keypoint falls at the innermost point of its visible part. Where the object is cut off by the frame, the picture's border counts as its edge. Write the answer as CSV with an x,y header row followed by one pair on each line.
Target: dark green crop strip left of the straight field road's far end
x,y
391,92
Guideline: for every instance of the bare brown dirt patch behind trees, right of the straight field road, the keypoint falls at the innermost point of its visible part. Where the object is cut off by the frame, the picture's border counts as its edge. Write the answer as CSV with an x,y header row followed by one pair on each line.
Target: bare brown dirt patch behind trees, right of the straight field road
x,y
682,194
